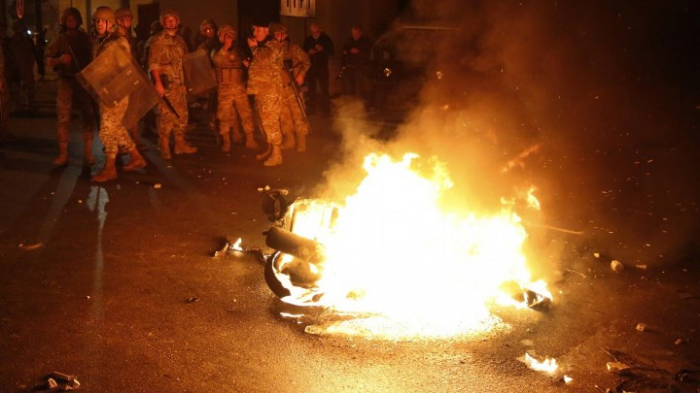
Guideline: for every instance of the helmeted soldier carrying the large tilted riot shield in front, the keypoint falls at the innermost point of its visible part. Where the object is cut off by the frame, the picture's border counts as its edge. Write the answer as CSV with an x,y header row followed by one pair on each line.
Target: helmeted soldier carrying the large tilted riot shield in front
x,y
113,134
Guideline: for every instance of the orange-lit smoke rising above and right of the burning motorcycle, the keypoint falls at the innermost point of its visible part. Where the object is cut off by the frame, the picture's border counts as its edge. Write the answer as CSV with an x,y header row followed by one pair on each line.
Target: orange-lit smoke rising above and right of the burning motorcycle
x,y
593,103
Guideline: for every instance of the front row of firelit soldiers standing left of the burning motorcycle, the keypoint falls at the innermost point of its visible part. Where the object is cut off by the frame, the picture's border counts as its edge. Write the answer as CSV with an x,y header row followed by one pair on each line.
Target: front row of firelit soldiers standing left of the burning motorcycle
x,y
271,74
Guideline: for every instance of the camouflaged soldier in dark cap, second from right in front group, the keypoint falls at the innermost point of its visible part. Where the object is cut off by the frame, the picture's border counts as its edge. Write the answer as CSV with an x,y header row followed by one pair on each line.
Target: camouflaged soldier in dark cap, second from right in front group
x,y
265,83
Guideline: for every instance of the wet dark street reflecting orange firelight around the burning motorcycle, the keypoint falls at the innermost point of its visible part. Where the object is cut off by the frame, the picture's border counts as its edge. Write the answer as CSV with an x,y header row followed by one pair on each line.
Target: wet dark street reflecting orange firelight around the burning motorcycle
x,y
115,283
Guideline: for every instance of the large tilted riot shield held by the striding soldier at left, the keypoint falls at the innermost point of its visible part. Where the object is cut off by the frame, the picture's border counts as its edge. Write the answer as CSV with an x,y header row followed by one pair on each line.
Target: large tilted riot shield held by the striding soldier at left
x,y
114,76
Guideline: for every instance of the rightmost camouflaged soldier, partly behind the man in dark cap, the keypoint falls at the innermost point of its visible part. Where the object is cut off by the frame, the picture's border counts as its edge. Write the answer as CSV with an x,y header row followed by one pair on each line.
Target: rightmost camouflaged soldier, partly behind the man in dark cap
x,y
293,119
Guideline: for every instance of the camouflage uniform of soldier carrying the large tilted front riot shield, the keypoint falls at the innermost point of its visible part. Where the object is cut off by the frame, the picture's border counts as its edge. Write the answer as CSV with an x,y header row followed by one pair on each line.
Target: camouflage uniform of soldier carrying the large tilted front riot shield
x,y
113,134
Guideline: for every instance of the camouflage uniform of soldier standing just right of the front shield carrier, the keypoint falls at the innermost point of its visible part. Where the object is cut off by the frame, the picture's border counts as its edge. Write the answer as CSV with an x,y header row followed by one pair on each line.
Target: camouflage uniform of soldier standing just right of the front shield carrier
x,y
166,56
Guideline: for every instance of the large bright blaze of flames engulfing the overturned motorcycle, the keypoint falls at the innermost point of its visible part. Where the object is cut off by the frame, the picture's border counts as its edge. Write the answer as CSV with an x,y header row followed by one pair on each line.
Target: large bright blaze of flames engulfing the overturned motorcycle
x,y
399,259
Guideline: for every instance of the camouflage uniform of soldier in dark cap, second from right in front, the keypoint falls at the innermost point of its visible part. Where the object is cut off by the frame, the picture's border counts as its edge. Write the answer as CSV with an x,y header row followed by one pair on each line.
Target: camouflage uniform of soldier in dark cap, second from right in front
x,y
265,83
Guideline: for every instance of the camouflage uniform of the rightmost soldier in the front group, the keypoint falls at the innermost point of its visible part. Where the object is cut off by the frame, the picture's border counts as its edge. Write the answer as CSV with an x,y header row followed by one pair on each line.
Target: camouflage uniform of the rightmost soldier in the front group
x,y
292,119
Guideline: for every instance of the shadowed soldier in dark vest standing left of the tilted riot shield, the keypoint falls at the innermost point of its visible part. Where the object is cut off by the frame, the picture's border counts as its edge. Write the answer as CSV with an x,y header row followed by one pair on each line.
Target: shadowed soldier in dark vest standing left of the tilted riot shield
x,y
68,54
